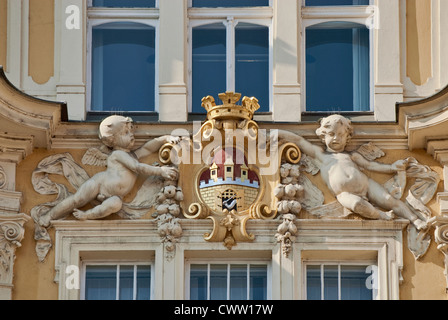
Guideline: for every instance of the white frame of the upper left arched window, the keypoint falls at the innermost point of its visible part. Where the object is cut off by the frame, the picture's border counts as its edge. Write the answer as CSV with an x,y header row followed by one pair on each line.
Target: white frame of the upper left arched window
x,y
98,16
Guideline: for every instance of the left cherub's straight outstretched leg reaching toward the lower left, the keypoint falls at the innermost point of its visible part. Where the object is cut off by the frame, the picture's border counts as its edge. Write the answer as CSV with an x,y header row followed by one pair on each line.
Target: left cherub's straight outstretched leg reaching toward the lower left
x,y
86,193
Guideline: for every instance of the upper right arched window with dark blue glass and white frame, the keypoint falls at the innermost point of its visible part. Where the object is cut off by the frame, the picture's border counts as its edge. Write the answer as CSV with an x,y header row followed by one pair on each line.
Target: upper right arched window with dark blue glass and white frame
x,y
338,59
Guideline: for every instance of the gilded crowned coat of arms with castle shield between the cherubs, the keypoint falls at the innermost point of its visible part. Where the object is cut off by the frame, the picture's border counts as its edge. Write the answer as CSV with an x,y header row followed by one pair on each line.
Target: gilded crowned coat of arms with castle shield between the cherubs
x,y
232,185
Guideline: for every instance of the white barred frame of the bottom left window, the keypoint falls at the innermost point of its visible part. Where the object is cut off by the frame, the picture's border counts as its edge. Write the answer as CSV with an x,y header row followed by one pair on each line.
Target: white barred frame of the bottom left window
x,y
85,264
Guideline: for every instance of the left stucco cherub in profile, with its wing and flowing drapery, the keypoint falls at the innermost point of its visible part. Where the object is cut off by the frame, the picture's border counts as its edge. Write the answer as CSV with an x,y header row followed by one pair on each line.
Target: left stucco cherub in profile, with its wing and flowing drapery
x,y
106,189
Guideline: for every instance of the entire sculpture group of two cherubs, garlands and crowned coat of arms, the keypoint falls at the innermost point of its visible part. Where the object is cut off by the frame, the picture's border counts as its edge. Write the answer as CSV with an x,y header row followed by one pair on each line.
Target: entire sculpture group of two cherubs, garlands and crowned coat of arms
x,y
232,183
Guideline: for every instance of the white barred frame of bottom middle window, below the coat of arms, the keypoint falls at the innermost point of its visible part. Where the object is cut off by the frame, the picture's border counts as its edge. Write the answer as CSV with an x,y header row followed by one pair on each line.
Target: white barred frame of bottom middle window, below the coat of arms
x,y
228,262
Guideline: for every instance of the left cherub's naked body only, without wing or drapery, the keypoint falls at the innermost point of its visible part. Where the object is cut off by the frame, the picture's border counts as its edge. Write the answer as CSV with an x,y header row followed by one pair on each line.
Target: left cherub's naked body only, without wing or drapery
x,y
110,186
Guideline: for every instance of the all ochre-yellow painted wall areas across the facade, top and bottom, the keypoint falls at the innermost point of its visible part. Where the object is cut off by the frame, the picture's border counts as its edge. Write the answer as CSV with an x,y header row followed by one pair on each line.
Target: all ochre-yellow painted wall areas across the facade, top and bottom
x,y
423,279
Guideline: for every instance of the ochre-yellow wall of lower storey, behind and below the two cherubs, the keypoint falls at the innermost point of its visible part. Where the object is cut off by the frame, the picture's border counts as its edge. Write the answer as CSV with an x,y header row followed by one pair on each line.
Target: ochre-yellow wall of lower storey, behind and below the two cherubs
x,y
423,279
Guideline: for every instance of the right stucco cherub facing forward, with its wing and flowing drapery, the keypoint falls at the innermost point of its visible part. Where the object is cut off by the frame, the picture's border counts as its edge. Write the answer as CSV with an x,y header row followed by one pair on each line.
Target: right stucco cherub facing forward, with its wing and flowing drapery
x,y
355,192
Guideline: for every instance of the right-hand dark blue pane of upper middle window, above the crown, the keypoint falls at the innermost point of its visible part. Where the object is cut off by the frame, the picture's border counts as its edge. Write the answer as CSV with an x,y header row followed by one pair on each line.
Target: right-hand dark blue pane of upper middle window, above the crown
x,y
252,62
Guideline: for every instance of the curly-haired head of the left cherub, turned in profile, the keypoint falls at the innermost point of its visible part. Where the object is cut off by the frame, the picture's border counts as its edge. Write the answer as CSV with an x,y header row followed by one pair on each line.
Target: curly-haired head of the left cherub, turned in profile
x,y
117,132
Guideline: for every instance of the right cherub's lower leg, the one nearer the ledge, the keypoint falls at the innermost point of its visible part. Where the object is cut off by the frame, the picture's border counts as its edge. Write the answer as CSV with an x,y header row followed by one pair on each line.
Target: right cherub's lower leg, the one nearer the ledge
x,y
360,206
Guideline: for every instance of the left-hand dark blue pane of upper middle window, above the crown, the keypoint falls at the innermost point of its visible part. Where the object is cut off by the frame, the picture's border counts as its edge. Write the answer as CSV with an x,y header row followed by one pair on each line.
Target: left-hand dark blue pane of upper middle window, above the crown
x,y
209,63
